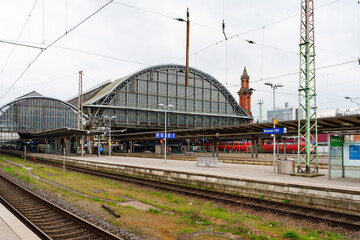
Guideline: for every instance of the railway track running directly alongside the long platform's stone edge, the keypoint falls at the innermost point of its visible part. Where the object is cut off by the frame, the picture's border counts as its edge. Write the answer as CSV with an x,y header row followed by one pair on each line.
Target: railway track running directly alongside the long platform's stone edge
x,y
346,220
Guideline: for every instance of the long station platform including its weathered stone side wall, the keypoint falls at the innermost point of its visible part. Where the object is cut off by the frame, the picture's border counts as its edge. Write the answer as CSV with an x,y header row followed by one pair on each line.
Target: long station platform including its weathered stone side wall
x,y
341,194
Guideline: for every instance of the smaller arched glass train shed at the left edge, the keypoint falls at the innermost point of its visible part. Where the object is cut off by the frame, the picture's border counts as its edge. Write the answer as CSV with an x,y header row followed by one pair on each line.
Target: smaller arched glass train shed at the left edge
x,y
36,114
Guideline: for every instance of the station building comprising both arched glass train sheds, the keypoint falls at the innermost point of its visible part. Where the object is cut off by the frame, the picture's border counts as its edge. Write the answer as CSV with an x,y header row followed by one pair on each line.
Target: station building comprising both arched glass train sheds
x,y
135,102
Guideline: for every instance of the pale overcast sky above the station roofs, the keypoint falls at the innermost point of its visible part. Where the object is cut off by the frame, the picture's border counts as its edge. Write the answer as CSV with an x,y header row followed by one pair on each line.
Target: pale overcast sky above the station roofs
x,y
127,36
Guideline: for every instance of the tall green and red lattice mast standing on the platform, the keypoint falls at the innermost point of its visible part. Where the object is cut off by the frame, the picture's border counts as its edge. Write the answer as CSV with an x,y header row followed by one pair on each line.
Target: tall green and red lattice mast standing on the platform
x,y
307,128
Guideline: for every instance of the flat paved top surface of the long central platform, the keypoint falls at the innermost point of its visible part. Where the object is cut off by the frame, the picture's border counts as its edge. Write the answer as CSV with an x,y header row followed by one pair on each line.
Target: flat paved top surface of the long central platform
x,y
254,172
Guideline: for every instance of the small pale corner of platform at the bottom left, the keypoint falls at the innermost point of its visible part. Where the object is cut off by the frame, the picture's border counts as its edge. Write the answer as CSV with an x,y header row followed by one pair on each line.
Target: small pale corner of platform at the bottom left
x,y
12,228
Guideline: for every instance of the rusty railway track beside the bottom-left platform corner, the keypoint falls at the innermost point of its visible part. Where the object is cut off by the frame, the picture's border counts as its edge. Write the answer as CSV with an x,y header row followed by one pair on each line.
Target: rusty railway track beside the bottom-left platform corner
x,y
44,218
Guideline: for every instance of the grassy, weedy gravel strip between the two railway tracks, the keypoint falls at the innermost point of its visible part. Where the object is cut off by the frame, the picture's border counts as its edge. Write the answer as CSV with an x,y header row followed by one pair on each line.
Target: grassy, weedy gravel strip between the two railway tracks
x,y
171,214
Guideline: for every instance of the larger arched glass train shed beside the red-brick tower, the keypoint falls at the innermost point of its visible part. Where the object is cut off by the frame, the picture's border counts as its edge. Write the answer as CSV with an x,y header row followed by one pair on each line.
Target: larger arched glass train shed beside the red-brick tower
x,y
134,100
